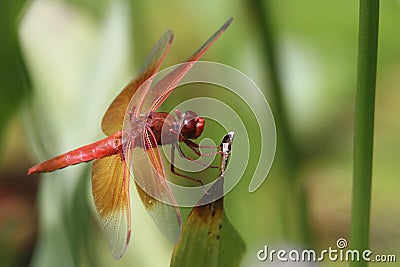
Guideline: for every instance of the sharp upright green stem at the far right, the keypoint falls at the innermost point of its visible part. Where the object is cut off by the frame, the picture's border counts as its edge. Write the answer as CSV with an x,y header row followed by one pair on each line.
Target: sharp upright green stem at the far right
x,y
364,125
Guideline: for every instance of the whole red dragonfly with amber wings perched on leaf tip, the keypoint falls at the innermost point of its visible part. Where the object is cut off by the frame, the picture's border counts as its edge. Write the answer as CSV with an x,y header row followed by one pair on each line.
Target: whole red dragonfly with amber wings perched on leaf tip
x,y
137,143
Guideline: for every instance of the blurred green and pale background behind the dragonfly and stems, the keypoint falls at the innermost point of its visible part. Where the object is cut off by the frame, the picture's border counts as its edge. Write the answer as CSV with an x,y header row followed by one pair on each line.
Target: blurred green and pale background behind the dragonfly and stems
x,y
63,62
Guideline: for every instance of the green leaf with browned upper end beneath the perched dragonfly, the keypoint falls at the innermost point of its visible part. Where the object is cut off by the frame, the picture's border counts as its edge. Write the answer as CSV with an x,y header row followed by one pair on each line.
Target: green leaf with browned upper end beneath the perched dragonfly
x,y
208,237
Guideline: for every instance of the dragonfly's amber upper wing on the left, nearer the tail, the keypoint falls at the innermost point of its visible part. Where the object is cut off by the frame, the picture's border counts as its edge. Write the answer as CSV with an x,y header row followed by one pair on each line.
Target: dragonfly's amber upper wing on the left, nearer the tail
x,y
114,116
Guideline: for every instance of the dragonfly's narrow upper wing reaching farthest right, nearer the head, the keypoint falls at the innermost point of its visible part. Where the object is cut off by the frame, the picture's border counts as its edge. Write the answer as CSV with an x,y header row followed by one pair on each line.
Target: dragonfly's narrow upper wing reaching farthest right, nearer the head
x,y
162,89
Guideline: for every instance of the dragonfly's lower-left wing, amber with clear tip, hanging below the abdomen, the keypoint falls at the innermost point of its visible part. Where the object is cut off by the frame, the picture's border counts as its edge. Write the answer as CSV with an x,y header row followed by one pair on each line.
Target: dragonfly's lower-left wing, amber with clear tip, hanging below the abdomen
x,y
110,190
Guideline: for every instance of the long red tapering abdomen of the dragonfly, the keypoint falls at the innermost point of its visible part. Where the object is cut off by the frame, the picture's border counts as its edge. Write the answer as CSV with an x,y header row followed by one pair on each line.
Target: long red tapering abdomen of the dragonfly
x,y
106,147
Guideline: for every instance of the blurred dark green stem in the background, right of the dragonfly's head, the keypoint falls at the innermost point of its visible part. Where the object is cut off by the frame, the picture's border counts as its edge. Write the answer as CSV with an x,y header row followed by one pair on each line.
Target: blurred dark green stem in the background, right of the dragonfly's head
x,y
295,197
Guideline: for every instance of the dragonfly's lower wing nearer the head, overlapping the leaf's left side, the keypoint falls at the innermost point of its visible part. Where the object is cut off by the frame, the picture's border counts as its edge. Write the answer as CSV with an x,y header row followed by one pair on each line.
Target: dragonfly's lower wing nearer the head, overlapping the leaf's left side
x,y
153,187
